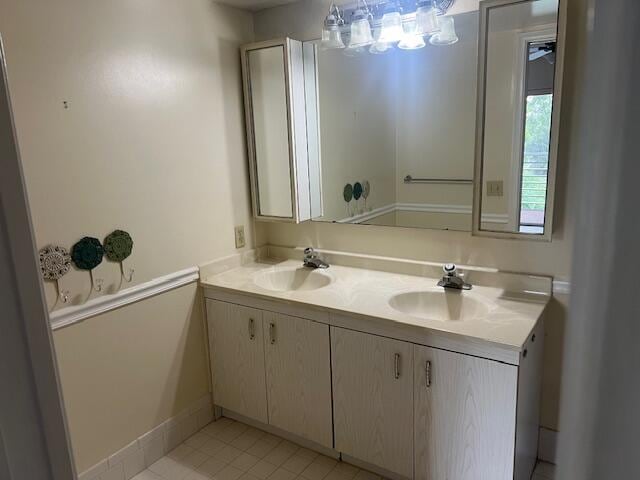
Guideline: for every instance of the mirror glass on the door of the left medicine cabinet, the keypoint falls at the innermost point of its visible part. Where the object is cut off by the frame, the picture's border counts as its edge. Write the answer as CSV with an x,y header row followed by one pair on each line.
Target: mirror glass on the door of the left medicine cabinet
x,y
270,131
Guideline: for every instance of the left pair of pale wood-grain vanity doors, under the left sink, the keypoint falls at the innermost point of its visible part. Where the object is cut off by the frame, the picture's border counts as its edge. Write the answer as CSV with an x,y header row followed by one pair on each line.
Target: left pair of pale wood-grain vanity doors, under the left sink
x,y
272,368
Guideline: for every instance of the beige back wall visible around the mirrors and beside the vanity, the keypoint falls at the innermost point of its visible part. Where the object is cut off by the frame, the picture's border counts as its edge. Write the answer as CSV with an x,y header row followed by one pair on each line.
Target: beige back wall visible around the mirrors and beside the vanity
x,y
303,20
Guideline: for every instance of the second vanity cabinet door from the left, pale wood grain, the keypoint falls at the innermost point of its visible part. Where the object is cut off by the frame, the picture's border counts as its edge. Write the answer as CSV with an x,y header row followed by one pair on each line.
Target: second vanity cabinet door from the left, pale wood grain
x,y
298,370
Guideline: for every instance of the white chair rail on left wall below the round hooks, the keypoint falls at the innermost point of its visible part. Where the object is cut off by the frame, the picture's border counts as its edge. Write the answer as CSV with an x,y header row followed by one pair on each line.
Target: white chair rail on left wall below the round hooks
x,y
70,315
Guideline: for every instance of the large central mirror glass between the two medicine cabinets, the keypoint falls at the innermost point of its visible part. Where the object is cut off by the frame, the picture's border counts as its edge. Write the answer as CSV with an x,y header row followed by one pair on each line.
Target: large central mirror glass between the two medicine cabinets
x,y
397,132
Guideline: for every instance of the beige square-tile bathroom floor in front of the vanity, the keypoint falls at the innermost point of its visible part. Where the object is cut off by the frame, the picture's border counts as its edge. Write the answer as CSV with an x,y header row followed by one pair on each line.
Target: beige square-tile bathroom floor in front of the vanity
x,y
229,450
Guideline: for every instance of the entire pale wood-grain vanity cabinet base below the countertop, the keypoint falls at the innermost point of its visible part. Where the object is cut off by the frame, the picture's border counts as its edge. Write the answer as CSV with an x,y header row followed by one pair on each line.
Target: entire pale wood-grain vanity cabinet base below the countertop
x,y
378,397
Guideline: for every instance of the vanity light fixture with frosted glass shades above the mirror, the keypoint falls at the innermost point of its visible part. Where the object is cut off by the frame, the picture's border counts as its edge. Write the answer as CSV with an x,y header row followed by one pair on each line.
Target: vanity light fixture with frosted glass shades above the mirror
x,y
378,27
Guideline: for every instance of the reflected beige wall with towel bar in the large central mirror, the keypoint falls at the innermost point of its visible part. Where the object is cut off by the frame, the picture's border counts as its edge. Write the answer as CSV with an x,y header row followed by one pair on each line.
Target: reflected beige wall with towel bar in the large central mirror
x,y
436,118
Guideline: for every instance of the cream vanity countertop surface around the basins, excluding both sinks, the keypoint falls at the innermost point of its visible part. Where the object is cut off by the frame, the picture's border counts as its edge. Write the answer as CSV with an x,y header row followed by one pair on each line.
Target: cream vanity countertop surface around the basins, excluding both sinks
x,y
510,317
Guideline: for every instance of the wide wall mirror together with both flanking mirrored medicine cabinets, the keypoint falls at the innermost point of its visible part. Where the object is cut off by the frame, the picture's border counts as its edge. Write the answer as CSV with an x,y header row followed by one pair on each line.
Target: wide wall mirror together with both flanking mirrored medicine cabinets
x,y
456,135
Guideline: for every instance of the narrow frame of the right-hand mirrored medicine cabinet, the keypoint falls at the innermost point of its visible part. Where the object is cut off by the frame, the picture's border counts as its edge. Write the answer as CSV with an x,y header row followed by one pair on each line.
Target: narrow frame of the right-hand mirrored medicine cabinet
x,y
476,227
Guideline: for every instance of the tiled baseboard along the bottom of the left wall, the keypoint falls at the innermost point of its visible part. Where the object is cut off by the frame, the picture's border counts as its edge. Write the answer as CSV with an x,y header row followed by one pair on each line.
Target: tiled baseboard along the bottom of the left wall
x,y
154,444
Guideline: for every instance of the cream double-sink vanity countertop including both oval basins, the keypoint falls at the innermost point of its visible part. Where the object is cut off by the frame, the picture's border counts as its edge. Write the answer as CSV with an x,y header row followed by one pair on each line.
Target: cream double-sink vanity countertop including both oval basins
x,y
502,316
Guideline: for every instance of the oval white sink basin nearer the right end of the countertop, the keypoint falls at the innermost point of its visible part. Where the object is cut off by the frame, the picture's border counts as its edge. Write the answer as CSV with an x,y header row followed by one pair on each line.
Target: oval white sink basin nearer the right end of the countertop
x,y
439,305
